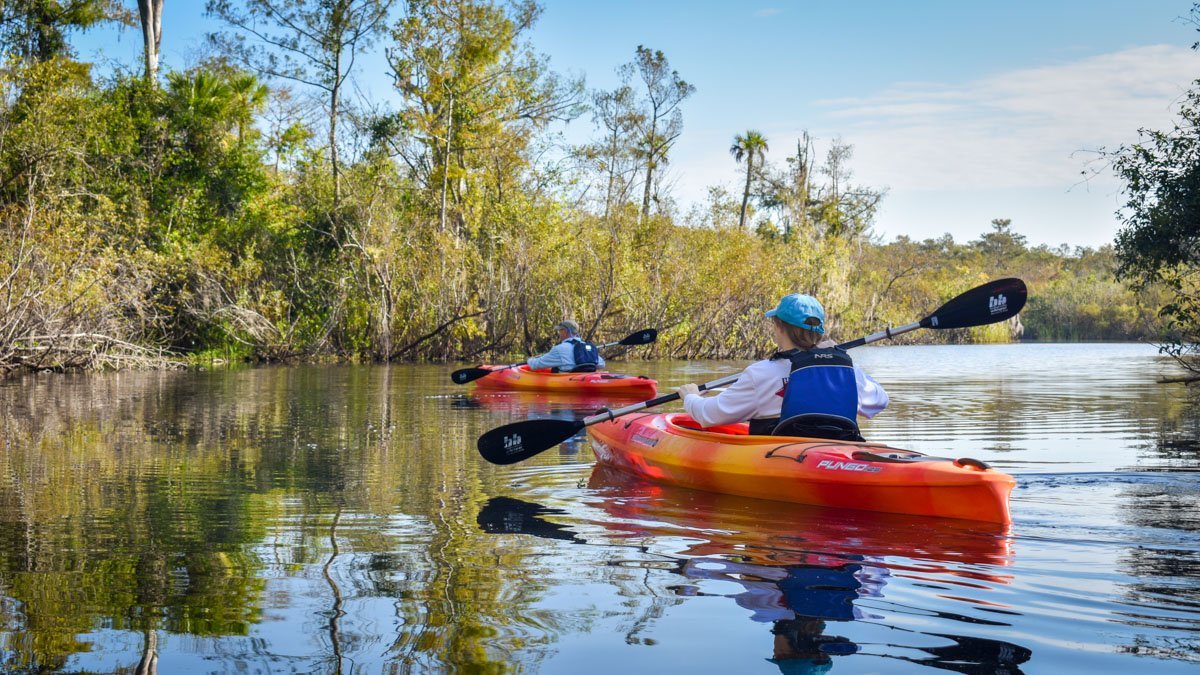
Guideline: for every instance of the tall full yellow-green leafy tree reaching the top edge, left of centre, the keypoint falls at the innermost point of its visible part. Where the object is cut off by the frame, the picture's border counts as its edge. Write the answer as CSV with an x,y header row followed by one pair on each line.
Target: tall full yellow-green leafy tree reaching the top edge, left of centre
x,y
473,98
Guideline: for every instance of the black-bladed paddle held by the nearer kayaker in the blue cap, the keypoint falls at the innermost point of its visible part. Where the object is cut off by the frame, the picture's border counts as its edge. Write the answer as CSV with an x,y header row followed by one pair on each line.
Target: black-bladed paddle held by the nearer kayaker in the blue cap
x,y
992,303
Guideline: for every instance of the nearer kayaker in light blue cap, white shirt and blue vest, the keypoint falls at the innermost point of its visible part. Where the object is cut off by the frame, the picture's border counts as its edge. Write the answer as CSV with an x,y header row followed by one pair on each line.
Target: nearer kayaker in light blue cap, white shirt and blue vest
x,y
807,375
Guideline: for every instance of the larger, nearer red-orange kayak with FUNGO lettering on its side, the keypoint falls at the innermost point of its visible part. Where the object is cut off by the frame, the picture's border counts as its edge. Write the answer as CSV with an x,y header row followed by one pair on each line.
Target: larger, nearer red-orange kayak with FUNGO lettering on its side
x,y
673,449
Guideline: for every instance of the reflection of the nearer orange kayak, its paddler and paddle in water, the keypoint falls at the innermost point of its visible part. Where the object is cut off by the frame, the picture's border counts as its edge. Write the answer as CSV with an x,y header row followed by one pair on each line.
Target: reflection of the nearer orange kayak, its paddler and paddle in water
x,y
807,574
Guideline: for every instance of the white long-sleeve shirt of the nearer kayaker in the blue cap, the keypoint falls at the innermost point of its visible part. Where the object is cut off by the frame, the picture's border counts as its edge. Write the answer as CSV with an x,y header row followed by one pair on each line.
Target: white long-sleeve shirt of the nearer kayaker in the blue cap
x,y
759,393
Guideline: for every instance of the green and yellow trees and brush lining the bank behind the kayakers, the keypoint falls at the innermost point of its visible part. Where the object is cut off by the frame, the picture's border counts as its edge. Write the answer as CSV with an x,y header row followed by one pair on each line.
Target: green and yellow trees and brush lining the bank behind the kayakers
x,y
249,208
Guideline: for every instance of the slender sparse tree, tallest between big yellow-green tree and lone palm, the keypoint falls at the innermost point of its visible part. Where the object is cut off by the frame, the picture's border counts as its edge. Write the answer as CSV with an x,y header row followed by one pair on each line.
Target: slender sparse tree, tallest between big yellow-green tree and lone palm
x,y
663,123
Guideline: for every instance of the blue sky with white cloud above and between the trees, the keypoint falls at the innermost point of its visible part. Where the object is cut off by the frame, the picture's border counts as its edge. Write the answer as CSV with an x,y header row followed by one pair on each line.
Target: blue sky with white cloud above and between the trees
x,y
964,112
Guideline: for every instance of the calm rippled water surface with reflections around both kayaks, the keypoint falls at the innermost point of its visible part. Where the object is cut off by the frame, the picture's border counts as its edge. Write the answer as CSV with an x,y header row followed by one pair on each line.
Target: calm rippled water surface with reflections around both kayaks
x,y
327,519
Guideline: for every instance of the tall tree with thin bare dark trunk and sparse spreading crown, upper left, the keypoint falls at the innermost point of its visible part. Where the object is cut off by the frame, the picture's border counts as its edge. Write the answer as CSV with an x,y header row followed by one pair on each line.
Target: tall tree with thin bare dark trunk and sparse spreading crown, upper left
x,y
310,41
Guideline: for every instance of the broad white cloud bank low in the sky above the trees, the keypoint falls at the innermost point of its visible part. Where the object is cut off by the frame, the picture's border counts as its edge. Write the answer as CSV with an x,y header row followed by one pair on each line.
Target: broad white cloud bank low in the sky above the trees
x,y
953,157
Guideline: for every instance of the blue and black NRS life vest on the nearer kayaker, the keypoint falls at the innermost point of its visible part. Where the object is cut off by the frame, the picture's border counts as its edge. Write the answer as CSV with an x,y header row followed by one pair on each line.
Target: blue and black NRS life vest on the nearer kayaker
x,y
823,381
